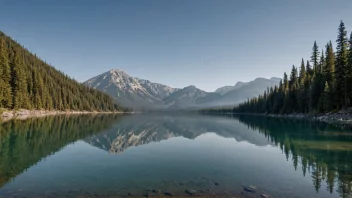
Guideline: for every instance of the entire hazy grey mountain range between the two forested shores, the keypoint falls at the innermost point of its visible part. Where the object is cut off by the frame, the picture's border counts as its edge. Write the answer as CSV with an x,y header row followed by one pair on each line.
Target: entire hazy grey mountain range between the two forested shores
x,y
141,94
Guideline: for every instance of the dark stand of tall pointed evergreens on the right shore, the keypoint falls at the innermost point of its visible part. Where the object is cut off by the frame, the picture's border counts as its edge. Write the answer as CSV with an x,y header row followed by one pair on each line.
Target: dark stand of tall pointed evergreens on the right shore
x,y
323,84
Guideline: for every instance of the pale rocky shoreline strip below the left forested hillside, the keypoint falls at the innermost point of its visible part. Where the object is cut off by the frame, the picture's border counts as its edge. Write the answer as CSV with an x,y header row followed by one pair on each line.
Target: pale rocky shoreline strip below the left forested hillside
x,y
23,114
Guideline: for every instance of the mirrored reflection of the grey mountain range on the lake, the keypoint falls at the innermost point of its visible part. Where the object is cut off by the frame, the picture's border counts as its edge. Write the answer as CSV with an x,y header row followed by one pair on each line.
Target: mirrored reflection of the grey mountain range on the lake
x,y
143,129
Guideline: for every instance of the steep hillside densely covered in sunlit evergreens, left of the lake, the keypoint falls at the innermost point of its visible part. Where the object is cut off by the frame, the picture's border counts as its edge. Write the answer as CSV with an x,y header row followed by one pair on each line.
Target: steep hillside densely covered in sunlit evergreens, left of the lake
x,y
28,82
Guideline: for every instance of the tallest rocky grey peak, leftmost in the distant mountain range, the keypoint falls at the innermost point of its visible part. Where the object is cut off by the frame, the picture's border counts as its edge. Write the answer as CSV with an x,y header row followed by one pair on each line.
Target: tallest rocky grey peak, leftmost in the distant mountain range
x,y
130,91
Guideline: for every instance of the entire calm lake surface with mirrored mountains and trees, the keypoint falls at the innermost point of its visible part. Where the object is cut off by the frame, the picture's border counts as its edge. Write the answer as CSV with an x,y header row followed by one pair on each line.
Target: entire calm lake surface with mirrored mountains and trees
x,y
100,156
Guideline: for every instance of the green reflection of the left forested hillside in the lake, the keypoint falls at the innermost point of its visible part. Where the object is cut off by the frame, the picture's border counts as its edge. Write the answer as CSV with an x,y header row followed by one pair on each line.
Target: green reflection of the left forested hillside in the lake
x,y
23,143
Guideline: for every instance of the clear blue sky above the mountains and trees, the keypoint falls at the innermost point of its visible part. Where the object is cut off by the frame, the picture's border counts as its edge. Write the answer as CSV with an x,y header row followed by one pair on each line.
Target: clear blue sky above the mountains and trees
x,y
206,43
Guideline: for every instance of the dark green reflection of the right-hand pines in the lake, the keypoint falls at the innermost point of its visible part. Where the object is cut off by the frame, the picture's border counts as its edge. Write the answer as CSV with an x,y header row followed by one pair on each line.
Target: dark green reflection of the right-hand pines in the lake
x,y
323,150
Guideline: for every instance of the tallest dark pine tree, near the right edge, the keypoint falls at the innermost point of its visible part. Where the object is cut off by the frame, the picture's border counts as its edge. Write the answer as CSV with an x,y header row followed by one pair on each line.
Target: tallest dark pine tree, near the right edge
x,y
340,67
